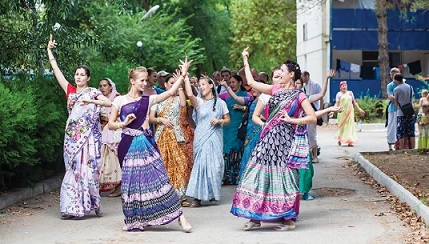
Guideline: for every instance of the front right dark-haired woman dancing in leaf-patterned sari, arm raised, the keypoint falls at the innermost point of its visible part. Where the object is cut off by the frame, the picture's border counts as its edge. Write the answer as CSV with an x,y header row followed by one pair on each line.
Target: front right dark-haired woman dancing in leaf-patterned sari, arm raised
x,y
268,189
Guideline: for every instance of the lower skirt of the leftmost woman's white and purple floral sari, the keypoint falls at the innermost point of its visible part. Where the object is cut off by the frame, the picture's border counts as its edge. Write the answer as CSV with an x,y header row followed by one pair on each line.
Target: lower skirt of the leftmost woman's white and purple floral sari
x,y
80,187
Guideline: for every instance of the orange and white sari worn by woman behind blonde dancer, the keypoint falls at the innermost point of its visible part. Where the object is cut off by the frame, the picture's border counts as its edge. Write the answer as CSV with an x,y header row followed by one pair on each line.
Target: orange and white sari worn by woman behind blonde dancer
x,y
172,152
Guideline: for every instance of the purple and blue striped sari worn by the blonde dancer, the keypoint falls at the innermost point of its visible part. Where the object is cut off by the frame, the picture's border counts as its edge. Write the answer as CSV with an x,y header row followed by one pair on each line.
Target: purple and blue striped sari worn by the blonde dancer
x,y
147,196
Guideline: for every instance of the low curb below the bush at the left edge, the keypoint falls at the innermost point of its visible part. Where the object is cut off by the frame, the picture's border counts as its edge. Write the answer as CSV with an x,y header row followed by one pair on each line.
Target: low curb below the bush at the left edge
x,y
20,194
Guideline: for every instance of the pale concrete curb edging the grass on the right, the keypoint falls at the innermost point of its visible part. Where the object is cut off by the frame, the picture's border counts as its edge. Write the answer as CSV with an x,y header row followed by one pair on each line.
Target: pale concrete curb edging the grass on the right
x,y
395,188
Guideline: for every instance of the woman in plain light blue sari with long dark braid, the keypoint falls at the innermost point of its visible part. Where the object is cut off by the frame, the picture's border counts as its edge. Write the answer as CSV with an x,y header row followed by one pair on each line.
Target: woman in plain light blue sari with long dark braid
x,y
210,114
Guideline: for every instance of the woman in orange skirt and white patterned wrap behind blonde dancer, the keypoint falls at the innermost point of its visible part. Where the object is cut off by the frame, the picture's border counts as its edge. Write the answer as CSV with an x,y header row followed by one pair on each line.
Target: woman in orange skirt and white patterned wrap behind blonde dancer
x,y
170,139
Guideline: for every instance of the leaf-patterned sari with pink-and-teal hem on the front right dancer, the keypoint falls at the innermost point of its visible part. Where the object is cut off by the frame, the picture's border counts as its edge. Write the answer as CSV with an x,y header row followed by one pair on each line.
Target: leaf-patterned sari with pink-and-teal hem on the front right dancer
x,y
268,189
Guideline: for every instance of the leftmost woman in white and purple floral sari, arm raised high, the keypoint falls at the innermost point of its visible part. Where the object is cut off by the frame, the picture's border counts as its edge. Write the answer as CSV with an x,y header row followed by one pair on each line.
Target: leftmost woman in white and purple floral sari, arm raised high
x,y
82,142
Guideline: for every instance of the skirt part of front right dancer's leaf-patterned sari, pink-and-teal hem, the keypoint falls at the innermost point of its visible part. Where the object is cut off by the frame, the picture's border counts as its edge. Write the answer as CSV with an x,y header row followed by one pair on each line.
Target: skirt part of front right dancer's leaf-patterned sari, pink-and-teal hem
x,y
268,189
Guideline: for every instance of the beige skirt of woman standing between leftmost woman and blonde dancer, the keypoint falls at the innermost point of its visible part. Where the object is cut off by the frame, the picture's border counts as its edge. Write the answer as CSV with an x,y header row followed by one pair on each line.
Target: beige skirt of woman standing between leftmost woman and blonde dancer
x,y
110,172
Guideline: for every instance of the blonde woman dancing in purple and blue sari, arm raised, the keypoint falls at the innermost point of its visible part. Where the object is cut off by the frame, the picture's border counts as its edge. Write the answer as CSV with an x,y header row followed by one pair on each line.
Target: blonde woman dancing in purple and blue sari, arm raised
x,y
148,198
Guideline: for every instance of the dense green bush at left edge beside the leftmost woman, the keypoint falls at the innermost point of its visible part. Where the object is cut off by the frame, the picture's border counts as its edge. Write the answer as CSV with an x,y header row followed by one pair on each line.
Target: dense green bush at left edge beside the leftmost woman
x,y
31,131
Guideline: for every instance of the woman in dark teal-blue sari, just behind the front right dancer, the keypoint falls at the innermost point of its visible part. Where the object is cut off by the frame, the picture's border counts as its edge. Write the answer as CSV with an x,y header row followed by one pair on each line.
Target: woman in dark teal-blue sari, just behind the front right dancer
x,y
231,144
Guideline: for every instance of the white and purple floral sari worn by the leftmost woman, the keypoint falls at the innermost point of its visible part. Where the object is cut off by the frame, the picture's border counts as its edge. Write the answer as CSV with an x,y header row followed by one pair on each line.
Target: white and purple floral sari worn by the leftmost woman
x,y
82,145
